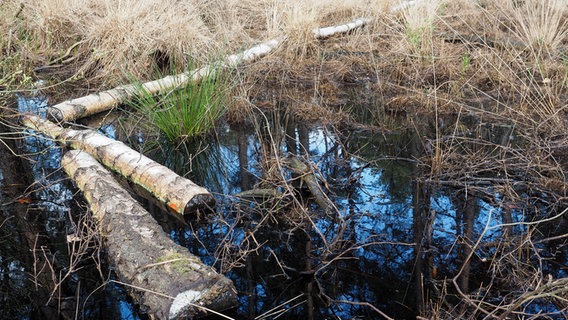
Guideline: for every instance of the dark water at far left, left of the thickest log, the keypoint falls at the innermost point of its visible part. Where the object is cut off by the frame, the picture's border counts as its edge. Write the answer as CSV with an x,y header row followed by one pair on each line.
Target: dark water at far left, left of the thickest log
x,y
42,275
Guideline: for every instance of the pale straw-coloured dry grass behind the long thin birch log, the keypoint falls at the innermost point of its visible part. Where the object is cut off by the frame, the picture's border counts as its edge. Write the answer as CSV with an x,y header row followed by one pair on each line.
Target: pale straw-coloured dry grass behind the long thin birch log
x,y
127,36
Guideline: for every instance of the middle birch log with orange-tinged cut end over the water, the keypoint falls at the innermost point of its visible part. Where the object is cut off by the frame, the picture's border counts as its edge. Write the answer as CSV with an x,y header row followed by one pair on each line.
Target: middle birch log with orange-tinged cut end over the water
x,y
180,194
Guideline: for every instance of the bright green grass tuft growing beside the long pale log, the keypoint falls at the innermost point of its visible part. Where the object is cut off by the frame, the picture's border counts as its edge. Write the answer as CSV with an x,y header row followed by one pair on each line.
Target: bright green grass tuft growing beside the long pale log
x,y
188,110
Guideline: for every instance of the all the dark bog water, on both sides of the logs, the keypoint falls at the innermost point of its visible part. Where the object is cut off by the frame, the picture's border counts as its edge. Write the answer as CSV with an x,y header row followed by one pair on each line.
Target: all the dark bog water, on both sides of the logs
x,y
391,243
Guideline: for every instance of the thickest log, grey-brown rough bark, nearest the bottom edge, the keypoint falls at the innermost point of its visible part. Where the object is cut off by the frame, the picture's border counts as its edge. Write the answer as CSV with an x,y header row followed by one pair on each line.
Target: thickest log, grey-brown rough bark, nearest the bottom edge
x,y
167,280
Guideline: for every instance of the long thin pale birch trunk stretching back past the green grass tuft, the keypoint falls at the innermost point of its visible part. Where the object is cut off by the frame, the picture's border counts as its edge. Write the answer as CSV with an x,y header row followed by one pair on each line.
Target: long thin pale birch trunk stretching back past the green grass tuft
x,y
98,102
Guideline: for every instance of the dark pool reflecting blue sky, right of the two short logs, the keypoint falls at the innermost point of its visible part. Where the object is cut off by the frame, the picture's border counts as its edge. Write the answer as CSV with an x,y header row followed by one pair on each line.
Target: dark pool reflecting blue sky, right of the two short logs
x,y
395,243
